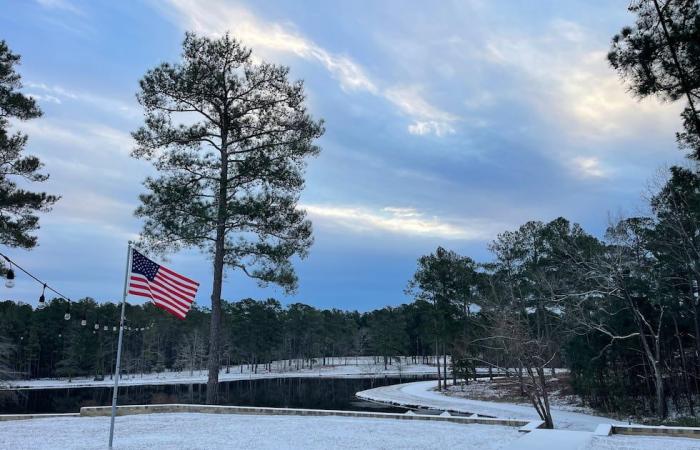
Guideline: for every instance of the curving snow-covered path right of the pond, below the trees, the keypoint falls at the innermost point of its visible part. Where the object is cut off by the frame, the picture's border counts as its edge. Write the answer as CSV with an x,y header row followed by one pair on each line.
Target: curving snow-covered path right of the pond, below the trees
x,y
421,394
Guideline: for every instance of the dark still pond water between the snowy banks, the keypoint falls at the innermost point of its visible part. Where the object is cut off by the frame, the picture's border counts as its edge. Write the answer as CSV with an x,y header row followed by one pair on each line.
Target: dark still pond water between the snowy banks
x,y
313,393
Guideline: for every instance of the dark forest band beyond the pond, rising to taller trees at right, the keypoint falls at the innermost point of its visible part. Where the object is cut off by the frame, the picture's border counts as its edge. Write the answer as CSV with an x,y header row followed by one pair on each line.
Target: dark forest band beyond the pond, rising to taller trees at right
x,y
621,313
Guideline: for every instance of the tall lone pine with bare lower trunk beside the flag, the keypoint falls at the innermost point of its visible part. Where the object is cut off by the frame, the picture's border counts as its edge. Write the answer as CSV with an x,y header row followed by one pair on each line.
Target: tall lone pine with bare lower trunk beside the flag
x,y
230,138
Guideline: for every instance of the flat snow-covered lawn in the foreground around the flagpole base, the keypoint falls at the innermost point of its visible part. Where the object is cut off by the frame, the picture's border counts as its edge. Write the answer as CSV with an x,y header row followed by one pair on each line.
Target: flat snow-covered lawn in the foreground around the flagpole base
x,y
189,430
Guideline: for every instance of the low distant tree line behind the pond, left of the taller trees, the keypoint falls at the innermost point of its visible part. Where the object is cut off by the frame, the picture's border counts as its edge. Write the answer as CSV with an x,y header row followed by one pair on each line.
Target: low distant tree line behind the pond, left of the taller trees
x,y
43,343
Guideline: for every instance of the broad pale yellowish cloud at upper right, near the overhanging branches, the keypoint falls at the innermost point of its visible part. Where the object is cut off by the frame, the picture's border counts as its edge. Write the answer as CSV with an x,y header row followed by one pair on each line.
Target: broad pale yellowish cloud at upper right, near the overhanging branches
x,y
571,83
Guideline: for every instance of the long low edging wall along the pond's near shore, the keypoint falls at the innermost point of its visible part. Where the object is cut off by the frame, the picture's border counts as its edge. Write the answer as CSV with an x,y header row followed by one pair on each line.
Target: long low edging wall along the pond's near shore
x,y
93,411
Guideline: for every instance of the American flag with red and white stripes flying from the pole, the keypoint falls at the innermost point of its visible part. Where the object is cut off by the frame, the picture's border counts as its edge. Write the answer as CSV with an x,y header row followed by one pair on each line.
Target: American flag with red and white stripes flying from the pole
x,y
168,290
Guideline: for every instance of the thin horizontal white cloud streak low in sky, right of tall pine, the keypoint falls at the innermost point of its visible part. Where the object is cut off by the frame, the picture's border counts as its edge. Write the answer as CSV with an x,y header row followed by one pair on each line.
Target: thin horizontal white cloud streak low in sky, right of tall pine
x,y
407,221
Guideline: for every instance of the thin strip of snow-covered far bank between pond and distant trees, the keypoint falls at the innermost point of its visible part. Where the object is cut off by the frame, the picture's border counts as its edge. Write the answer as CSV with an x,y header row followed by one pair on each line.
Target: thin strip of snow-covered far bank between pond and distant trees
x,y
349,367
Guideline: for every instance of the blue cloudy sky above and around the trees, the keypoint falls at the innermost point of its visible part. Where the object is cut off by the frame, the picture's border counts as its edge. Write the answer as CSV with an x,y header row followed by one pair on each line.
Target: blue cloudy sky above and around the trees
x,y
446,123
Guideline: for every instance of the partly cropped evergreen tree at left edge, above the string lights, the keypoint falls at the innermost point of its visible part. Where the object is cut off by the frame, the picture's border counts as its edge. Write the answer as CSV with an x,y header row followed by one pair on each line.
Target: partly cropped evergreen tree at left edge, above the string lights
x,y
18,207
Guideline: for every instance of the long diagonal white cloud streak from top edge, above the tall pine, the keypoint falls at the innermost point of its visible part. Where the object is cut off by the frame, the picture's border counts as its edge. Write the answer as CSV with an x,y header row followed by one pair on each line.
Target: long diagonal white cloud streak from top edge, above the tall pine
x,y
270,37
